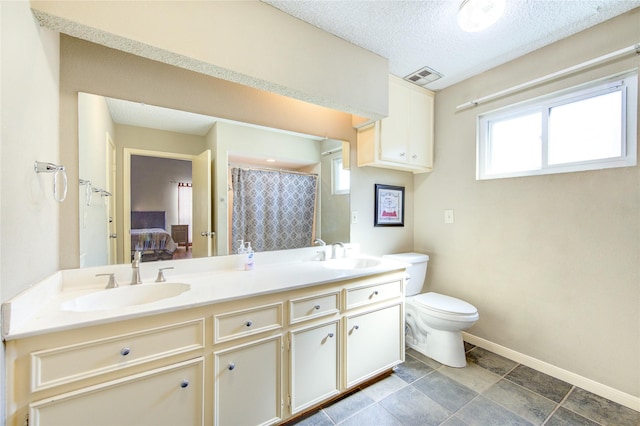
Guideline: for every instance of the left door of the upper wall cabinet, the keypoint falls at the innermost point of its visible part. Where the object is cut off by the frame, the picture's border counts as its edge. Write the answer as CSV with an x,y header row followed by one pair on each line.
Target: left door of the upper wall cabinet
x,y
393,129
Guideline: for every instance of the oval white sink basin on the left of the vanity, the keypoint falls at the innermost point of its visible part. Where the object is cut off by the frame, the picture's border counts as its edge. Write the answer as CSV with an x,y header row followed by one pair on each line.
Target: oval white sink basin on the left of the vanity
x,y
128,295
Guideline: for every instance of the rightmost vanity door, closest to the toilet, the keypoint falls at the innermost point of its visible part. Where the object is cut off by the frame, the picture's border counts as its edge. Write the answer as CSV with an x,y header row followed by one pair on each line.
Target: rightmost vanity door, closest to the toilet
x,y
375,342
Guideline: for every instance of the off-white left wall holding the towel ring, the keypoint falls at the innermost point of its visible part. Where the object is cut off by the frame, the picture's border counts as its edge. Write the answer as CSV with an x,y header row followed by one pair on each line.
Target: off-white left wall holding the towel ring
x,y
29,131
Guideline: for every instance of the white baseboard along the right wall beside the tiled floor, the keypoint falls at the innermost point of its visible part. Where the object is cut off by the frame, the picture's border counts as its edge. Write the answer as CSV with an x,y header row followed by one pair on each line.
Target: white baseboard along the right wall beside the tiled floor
x,y
592,386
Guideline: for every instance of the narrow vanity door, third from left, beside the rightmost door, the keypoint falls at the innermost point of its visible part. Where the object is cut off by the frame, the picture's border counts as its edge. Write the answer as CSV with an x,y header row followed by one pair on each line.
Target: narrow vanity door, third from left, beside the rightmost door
x,y
314,365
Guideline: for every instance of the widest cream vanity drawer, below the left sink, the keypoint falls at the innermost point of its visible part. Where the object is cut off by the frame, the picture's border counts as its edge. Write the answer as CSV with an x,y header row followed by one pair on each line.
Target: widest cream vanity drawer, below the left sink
x,y
68,364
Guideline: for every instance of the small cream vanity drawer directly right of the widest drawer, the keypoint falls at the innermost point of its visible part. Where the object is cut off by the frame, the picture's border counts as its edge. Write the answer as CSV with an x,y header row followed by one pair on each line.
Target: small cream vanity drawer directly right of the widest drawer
x,y
233,325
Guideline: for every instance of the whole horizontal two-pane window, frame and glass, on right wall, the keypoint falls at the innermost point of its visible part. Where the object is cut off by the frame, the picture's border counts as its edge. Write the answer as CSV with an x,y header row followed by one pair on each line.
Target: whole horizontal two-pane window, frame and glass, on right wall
x,y
586,128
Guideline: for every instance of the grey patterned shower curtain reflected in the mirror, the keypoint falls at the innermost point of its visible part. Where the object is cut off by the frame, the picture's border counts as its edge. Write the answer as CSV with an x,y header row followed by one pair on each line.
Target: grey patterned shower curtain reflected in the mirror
x,y
274,210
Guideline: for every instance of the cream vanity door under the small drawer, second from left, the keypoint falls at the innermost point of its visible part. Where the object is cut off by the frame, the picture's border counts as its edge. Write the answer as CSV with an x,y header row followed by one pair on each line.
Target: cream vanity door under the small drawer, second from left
x,y
248,382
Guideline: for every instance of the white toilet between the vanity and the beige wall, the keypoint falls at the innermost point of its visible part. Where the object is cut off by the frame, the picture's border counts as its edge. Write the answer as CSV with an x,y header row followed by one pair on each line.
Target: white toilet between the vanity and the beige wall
x,y
433,321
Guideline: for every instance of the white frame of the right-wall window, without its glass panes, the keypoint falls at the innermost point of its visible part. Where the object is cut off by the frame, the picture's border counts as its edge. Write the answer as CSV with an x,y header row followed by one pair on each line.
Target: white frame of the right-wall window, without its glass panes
x,y
627,84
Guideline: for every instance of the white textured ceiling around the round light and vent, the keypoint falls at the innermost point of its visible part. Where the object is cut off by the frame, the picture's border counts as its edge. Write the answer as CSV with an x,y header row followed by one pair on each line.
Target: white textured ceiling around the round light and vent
x,y
415,34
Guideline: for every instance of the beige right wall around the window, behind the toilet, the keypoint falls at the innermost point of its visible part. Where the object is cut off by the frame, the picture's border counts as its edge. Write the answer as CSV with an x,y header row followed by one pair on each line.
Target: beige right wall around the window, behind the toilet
x,y
551,262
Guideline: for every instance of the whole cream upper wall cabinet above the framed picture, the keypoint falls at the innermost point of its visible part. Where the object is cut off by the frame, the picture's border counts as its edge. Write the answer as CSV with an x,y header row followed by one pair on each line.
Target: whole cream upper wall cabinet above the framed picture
x,y
404,139
